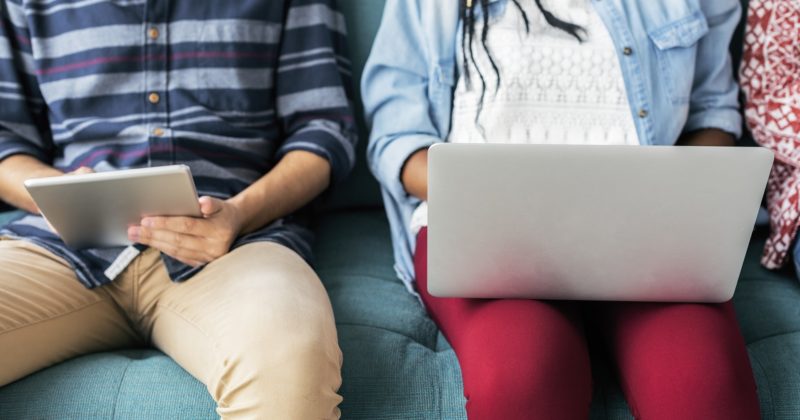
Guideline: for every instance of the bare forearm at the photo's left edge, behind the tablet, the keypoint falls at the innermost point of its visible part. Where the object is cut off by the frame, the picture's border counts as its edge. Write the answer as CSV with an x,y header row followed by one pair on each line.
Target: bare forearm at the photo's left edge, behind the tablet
x,y
14,171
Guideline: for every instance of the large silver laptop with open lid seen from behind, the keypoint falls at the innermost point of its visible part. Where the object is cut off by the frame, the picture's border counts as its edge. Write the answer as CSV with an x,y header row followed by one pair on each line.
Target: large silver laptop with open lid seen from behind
x,y
622,223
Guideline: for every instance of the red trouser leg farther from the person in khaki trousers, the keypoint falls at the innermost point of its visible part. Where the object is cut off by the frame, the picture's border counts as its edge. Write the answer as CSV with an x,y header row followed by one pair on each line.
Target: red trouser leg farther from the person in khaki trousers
x,y
681,361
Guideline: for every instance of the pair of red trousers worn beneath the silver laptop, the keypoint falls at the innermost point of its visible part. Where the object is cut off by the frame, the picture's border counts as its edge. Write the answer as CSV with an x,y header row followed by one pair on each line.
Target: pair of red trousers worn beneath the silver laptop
x,y
523,359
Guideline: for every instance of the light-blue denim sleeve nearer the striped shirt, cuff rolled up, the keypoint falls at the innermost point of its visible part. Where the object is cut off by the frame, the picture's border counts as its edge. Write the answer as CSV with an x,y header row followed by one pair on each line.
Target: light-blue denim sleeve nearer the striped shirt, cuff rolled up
x,y
395,90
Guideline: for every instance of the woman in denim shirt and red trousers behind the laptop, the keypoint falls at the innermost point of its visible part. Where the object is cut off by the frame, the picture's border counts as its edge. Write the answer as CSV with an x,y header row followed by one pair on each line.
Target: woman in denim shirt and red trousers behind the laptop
x,y
560,72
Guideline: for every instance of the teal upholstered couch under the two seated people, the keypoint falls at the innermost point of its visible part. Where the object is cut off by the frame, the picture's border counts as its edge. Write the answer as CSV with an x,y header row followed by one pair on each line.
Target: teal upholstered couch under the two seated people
x,y
396,363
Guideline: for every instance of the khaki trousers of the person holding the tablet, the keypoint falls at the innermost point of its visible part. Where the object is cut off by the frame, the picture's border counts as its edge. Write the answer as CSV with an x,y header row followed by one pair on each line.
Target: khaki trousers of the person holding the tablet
x,y
256,326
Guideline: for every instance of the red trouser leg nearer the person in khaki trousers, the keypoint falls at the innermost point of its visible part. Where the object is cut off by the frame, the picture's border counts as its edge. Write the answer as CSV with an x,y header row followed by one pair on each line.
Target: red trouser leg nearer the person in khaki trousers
x,y
520,359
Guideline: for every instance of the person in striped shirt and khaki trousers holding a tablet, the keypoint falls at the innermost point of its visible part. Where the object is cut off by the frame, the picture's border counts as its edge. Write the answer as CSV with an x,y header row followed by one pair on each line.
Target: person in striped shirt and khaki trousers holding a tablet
x,y
255,98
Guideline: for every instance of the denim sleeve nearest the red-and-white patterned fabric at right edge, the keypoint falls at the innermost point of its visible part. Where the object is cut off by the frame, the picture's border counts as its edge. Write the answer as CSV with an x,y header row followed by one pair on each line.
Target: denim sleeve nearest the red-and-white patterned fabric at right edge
x,y
714,102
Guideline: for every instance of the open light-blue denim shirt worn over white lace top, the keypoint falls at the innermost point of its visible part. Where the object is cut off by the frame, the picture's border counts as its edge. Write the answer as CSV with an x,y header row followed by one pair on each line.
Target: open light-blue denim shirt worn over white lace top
x,y
674,58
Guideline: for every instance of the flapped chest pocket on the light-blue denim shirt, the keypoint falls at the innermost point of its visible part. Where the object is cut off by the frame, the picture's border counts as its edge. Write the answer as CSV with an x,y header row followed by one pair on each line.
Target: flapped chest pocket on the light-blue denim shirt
x,y
676,51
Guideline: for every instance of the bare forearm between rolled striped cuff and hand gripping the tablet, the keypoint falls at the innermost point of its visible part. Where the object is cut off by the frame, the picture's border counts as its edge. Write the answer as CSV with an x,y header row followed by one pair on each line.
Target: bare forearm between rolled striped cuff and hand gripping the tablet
x,y
296,180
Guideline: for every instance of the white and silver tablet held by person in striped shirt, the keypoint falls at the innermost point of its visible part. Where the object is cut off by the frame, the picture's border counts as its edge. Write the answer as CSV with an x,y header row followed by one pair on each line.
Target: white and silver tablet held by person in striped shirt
x,y
95,210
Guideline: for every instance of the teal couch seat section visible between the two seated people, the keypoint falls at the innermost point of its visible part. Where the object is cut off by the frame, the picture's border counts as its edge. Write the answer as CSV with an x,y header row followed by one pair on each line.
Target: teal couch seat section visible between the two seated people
x,y
396,364
